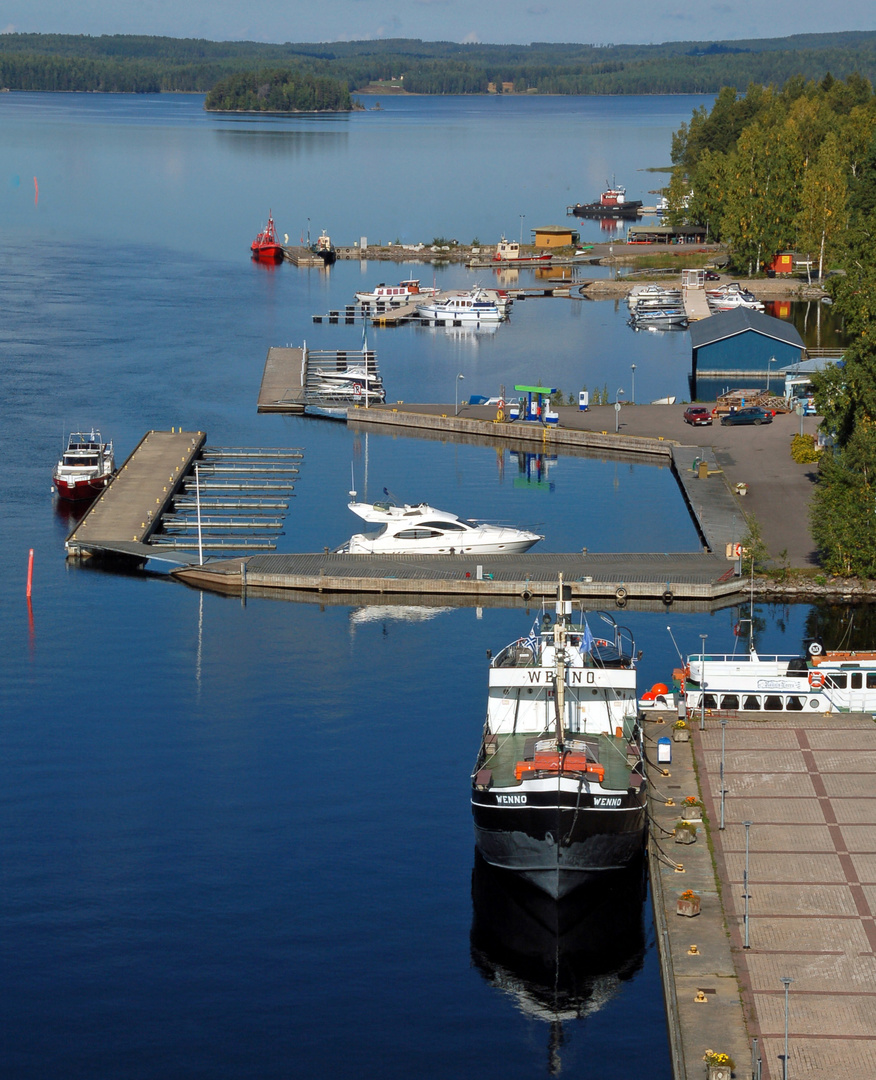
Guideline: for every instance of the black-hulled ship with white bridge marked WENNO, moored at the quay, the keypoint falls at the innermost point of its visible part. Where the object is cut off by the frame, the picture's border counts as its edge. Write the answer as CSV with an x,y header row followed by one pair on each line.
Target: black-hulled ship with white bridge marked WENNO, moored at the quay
x,y
559,785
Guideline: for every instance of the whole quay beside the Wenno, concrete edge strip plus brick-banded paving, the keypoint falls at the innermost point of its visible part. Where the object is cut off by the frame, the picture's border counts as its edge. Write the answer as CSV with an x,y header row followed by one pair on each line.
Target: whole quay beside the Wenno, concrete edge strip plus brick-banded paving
x,y
808,789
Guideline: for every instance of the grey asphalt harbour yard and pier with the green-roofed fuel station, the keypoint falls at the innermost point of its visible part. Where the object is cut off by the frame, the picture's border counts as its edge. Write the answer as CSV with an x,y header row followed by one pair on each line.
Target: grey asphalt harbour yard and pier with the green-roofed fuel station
x,y
778,489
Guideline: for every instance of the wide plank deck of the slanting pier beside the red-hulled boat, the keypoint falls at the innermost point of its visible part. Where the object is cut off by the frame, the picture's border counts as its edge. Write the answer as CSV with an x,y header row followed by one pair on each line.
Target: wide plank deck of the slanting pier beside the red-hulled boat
x,y
131,508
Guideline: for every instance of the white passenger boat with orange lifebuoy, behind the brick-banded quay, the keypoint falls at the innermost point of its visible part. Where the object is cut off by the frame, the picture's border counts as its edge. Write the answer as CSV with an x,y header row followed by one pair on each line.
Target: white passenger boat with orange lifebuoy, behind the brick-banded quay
x,y
818,682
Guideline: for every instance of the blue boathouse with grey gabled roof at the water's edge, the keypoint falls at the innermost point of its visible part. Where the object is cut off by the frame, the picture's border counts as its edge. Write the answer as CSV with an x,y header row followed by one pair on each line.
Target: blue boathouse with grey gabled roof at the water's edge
x,y
731,345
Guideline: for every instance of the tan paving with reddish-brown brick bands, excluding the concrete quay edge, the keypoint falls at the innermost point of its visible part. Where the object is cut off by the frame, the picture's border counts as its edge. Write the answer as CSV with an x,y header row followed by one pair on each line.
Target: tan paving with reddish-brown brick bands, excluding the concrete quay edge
x,y
810,790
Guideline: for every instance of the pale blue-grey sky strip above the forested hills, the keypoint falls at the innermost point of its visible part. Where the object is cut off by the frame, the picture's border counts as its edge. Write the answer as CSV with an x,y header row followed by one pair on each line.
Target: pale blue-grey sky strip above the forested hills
x,y
486,21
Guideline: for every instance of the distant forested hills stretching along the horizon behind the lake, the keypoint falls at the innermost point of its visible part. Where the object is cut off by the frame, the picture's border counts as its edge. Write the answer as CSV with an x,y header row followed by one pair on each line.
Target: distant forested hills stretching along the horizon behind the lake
x,y
136,64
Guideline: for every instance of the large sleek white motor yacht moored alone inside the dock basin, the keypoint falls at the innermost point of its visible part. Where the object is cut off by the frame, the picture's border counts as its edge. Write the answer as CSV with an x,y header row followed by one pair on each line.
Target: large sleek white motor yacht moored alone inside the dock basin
x,y
424,531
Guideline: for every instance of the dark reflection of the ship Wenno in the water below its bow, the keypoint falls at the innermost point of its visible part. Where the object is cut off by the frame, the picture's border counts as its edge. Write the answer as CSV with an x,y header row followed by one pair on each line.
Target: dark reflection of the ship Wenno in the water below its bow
x,y
562,961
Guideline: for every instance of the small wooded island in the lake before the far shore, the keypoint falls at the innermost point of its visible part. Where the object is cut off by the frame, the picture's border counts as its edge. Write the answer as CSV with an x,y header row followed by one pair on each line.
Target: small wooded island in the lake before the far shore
x,y
279,91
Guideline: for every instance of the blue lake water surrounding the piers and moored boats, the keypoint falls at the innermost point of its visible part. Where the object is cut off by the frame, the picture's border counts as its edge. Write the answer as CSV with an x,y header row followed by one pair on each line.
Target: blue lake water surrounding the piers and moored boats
x,y
236,841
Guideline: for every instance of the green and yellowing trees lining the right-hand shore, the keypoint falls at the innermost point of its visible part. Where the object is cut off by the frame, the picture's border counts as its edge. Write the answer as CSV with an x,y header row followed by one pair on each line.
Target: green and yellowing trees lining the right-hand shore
x,y
796,169
